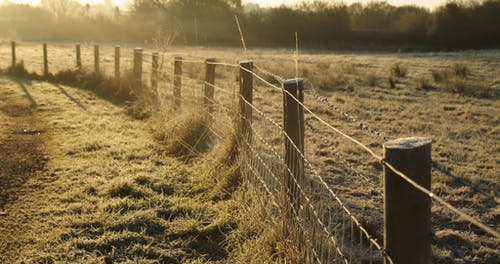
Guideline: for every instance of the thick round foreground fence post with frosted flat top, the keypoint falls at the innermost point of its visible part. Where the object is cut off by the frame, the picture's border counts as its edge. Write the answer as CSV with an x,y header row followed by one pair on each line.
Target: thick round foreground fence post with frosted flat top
x,y
407,214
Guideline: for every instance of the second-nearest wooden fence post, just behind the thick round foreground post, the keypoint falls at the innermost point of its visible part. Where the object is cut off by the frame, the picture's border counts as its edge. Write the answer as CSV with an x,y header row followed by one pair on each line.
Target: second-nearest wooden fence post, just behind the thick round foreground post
x,y
293,118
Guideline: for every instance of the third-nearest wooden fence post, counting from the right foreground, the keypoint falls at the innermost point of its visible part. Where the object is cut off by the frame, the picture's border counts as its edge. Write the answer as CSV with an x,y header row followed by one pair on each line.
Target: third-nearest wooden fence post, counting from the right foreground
x,y
246,98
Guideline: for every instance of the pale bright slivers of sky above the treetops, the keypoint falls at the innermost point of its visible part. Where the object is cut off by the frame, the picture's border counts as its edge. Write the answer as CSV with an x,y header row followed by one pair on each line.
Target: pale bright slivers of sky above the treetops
x,y
426,3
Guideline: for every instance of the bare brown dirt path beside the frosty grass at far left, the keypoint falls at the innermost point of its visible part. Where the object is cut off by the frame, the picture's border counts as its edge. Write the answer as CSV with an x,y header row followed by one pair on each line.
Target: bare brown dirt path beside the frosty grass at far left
x,y
23,161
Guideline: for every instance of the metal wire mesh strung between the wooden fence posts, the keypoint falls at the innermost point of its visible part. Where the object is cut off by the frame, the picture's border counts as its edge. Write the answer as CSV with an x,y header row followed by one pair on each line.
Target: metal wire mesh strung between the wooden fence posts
x,y
312,201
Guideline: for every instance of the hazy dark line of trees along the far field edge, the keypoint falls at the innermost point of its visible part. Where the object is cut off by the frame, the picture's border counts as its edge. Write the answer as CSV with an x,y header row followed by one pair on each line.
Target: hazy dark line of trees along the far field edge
x,y
319,24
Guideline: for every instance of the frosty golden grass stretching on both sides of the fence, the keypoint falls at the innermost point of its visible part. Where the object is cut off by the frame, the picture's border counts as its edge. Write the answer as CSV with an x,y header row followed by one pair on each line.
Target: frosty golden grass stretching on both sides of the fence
x,y
119,194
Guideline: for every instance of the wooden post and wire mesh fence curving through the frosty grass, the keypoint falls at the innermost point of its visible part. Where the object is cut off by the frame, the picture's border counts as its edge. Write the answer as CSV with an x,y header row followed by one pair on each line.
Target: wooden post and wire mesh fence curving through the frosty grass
x,y
273,120
